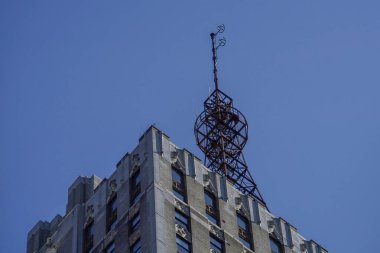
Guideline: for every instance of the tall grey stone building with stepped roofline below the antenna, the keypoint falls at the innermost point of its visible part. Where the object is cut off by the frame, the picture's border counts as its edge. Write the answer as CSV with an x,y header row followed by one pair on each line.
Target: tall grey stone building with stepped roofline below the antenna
x,y
161,198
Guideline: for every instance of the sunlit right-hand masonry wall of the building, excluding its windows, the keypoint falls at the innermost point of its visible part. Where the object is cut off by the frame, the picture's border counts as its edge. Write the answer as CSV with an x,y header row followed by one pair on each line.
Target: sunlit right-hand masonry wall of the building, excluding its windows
x,y
264,225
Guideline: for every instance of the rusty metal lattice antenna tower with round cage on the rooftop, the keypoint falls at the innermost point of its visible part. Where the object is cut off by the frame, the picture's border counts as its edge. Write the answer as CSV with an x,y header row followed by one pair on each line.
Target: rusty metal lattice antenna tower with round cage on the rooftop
x,y
221,132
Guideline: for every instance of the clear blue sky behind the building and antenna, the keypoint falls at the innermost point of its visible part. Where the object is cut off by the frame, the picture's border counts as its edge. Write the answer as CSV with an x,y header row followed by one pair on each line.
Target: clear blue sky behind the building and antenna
x,y
80,81
